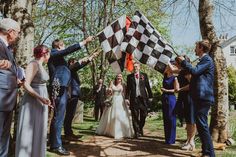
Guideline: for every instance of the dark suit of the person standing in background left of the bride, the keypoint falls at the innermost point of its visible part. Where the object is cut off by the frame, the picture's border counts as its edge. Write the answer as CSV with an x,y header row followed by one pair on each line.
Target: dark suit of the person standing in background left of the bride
x,y
99,100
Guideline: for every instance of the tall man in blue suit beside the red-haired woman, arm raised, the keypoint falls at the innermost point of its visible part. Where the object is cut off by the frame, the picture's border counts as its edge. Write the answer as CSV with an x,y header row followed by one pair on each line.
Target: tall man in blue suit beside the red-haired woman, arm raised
x,y
59,70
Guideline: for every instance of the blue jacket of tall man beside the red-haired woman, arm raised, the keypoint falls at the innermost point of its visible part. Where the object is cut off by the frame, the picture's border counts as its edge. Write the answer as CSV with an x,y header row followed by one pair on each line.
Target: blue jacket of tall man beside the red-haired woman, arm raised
x,y
58,67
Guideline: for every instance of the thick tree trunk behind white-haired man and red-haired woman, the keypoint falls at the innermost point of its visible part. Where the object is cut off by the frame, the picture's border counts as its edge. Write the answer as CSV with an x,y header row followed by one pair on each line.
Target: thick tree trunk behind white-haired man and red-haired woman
x,y
21,11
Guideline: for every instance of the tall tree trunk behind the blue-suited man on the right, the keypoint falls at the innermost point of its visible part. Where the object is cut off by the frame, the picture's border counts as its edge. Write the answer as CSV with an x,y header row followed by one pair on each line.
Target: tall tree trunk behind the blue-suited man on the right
x,y
219,112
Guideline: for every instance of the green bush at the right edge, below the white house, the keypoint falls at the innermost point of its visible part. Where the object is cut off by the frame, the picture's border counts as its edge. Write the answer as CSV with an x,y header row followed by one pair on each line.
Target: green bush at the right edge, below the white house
x,y
232,85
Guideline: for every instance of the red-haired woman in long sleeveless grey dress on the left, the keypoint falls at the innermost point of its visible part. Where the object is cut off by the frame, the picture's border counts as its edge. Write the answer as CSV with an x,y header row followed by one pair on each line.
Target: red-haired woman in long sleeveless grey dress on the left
x,y
32,121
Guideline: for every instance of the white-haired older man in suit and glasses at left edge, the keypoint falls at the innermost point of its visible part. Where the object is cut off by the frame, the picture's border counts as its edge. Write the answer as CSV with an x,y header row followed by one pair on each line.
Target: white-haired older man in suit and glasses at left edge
x,y
9,32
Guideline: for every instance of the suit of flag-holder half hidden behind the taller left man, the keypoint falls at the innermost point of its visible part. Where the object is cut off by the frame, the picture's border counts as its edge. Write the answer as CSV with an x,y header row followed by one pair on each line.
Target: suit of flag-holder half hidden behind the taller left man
x,y
75,94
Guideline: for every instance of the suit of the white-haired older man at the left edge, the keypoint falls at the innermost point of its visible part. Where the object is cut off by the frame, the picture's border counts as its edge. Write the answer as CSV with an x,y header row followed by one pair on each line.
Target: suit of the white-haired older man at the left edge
x,y
8,94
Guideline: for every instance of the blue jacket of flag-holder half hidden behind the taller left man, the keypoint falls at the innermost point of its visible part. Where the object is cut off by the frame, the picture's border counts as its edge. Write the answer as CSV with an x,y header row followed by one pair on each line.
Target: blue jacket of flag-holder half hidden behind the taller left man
x,y
75,81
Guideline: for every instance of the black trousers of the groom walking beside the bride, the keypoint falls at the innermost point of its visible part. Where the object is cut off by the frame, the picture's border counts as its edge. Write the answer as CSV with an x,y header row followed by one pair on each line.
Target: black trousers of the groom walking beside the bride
x,y
138,109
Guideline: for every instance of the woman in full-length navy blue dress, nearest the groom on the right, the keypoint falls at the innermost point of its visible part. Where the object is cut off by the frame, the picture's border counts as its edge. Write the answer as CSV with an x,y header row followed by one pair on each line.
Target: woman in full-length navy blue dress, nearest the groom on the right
x,y
170,85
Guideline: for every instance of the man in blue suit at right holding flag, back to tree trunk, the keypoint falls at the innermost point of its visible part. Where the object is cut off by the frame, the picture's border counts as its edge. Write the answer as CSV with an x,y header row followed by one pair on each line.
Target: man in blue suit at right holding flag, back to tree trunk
x,y
201,91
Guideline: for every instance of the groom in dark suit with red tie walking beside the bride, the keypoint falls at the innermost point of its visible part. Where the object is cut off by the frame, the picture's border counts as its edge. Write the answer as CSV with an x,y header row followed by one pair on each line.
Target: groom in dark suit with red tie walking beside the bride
x,y
137,94
